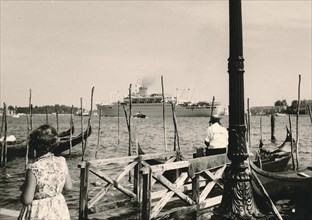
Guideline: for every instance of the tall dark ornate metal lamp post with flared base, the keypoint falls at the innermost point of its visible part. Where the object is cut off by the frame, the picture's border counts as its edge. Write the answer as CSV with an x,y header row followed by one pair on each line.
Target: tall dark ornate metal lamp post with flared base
x,y
237,200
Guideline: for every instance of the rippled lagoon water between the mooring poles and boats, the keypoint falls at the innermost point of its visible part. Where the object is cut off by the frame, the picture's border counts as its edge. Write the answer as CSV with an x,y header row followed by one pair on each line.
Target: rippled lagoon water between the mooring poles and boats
x,y
113,142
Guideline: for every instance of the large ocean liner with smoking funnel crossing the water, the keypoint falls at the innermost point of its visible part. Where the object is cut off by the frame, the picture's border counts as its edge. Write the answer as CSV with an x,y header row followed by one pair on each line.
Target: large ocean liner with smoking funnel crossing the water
x,y
151,105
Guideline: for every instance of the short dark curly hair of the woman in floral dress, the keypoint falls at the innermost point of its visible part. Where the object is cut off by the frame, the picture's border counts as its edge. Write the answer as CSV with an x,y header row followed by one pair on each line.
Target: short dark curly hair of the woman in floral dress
x,y
43,139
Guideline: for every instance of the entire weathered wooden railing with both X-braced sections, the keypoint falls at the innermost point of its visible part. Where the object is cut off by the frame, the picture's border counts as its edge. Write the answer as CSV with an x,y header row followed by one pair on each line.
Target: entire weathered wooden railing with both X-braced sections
x,y
178,182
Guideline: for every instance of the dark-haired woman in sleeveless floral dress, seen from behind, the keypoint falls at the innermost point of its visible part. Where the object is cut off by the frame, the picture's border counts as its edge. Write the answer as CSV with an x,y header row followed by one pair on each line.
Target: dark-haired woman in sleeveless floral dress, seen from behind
x,y
45,180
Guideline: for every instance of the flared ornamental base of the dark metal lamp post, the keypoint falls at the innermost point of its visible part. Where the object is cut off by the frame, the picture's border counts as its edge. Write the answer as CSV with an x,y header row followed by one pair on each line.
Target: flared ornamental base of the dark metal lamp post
x,y
237,201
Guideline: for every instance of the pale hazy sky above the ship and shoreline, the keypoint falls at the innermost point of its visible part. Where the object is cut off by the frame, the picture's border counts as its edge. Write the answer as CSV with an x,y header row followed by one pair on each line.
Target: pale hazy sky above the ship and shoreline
x,y
59,50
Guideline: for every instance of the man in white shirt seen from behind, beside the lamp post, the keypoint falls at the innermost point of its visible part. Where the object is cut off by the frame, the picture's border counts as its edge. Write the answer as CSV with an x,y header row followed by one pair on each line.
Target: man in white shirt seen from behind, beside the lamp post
x,y
217,137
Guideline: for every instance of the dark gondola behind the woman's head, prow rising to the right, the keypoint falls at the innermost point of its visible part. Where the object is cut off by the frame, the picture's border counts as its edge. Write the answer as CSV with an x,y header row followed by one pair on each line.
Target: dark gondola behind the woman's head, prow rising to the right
x,y
64,144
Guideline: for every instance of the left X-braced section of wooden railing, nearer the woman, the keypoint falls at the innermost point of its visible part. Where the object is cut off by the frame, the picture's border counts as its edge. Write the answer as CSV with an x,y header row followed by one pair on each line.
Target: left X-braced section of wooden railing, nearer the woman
x,y
130,163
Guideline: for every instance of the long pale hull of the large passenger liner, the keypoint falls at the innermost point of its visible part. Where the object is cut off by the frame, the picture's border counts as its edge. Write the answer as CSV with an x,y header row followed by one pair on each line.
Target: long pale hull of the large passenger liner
x,y
155,110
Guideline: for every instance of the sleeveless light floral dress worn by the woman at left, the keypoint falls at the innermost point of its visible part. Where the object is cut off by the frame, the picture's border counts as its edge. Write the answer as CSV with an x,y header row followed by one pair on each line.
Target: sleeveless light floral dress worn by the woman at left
x,y
49,203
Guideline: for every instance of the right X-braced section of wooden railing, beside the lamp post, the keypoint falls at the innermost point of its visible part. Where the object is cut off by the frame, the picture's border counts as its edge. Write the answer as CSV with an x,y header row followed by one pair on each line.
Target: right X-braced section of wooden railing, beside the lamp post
x,y
200,185
